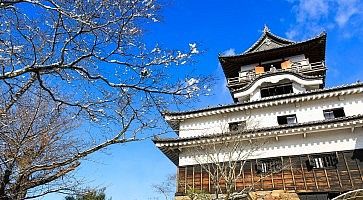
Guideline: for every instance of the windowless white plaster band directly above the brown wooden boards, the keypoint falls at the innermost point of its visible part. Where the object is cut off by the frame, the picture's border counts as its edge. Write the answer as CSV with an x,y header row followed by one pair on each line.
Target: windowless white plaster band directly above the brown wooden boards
x,y
338,140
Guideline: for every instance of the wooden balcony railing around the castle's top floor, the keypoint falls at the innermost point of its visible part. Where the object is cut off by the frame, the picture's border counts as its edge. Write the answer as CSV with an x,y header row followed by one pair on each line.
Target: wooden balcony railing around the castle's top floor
x,y
302,66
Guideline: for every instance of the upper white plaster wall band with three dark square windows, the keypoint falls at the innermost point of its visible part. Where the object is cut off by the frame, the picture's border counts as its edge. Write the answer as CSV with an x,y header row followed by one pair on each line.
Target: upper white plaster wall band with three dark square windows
x,y
267,117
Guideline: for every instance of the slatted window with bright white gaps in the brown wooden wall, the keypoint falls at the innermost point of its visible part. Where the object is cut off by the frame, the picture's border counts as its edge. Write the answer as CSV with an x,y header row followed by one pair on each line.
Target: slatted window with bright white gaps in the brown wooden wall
x,y
322,161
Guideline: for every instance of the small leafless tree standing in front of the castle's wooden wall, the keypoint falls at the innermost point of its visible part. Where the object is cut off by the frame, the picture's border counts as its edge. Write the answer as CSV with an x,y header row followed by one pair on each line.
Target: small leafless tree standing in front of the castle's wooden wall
x,y
224,161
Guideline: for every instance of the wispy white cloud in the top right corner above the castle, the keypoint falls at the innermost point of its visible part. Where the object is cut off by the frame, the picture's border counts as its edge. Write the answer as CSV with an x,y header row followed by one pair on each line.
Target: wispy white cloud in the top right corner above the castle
x,y
314,16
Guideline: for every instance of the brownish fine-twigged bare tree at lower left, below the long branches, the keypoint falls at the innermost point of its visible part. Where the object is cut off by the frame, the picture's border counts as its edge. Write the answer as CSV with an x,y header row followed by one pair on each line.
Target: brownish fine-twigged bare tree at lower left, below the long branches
x,y
36,146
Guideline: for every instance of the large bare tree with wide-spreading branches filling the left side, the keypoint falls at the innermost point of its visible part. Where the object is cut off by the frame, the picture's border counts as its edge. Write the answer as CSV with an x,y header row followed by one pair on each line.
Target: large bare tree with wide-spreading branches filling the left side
x,y
89,61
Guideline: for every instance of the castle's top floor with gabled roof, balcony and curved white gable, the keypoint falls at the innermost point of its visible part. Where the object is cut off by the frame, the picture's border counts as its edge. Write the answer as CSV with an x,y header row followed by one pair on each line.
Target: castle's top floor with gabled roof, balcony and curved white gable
x,y
274,66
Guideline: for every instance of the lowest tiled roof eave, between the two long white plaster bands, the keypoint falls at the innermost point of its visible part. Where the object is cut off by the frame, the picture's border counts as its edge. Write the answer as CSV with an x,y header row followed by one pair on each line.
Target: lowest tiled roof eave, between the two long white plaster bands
x,y
171,146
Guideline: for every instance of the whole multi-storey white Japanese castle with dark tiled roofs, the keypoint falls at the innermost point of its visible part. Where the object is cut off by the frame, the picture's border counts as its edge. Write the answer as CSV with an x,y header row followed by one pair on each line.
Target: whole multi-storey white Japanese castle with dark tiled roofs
x,y
301,140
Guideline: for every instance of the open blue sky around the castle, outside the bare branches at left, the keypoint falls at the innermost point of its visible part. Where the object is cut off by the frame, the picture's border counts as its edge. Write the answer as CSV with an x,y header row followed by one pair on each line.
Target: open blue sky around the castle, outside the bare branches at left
x,y
228,27
